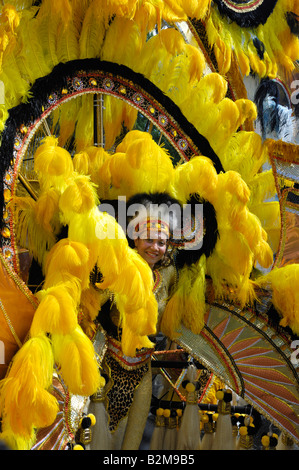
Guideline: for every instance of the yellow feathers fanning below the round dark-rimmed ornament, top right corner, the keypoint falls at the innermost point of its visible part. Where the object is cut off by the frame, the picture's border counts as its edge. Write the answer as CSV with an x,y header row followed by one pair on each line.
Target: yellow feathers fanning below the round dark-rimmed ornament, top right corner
x,y
281,46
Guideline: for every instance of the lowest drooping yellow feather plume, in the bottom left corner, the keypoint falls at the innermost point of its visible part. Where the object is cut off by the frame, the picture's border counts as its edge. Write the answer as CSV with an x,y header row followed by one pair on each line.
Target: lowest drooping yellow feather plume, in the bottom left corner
x,y
25,402
